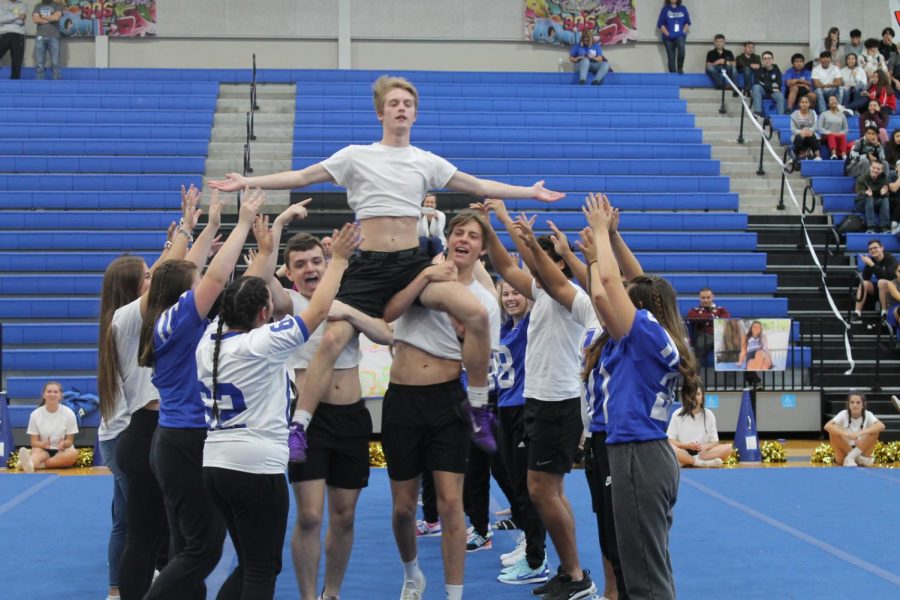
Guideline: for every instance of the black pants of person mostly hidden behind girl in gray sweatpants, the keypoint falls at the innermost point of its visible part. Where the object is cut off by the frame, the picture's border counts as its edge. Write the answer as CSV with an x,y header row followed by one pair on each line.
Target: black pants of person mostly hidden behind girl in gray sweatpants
x,y
596,470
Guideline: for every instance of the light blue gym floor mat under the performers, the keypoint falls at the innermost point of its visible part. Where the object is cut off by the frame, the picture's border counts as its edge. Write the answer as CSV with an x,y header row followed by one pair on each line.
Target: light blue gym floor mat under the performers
x,y
740,533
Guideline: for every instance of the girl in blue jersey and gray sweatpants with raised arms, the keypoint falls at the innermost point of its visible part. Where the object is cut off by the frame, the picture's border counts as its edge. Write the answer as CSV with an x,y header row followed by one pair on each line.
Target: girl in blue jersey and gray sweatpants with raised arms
x,y
642,354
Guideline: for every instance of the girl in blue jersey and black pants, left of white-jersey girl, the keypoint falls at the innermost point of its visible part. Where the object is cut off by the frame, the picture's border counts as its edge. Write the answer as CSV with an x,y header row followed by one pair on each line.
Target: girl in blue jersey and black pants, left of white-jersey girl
x,y
175,320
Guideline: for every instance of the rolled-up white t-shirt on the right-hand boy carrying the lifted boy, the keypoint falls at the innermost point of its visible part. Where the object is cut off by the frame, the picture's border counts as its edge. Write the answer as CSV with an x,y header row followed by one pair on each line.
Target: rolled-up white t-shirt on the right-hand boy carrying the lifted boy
x,y
431,331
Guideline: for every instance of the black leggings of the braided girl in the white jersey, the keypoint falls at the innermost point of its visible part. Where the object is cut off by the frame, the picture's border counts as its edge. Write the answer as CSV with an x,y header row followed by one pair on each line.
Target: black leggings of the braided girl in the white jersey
x,y
255,509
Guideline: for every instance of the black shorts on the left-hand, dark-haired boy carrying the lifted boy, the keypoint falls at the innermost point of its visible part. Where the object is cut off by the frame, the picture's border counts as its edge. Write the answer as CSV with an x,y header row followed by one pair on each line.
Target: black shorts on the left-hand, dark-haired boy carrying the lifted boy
x,y
338,450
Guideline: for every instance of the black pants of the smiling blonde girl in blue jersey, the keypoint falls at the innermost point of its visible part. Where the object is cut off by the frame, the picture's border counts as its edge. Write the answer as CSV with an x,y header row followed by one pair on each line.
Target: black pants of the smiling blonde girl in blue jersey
x,y
515,456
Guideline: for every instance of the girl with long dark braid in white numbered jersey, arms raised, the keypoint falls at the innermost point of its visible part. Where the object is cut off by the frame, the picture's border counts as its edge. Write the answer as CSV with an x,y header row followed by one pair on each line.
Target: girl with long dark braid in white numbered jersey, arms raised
x,y
246,386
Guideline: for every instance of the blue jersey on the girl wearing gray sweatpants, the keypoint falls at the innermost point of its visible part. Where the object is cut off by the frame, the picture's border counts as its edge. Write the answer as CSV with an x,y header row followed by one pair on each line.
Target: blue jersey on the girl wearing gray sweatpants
x,y
637,378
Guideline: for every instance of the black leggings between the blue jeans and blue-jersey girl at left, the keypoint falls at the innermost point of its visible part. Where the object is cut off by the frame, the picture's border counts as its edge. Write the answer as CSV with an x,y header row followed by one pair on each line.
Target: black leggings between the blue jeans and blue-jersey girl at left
x,y
147,526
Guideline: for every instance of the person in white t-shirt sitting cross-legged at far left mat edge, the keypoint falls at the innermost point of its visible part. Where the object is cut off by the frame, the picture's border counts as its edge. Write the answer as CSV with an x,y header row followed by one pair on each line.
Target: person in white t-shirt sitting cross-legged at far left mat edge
x,y
52,427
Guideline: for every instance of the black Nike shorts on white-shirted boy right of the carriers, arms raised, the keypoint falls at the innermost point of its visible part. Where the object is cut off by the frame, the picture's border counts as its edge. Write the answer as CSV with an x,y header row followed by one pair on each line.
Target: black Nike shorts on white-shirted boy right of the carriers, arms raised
x,y
552,431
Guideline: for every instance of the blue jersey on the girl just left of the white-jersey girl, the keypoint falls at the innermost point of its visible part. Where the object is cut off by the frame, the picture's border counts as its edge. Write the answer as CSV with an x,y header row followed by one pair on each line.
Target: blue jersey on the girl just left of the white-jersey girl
x,y
175,337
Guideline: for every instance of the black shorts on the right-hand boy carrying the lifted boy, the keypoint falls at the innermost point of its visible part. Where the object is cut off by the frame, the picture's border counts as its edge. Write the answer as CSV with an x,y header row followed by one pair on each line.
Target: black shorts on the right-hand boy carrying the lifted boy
x,y
422,427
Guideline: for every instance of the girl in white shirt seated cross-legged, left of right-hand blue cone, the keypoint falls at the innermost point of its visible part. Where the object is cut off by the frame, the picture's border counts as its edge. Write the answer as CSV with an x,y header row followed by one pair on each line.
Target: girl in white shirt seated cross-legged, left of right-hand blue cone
x,y
694,437
